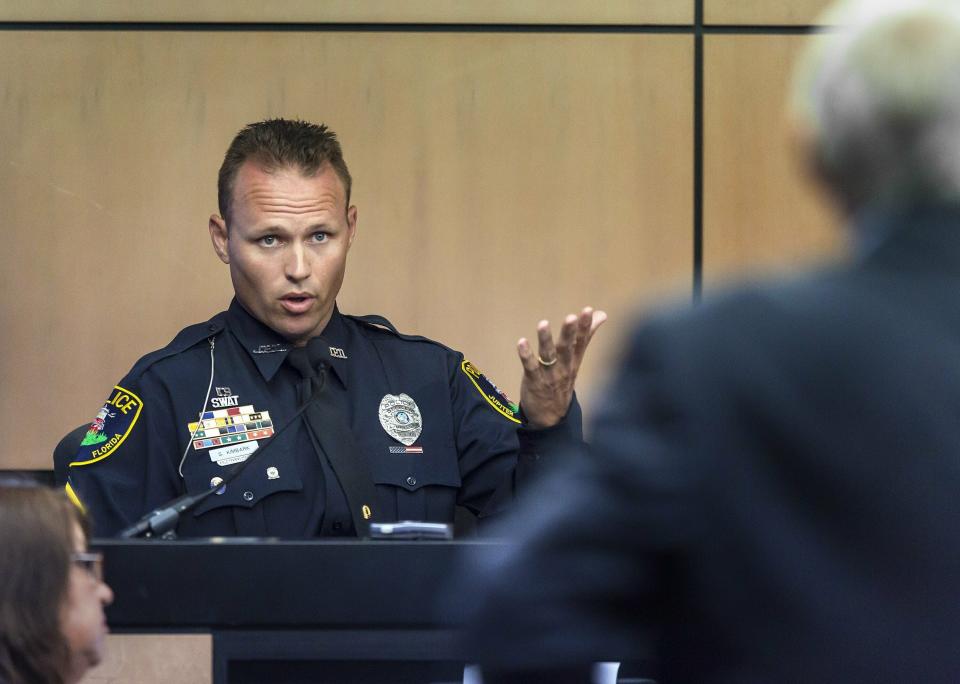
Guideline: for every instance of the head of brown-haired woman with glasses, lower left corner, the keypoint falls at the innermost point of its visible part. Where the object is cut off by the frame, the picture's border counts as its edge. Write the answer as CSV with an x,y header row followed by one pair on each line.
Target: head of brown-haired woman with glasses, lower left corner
x,y
52,625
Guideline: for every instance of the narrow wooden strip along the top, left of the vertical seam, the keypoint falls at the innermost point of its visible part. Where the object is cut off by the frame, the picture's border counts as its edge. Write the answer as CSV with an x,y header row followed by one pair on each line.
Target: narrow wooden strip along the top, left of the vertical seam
x,y
386,11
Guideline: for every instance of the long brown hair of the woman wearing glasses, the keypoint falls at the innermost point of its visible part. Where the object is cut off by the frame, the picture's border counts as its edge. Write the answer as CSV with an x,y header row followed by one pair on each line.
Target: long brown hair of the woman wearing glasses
x,y
36,542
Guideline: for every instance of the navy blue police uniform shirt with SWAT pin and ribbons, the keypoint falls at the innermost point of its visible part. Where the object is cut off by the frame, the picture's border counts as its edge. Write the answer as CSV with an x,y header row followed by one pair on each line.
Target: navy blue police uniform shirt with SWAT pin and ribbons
x,y
149,442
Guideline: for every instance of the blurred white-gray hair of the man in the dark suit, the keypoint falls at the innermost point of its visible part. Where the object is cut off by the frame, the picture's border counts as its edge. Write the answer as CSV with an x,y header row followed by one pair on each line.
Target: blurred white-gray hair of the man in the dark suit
x,y
879,91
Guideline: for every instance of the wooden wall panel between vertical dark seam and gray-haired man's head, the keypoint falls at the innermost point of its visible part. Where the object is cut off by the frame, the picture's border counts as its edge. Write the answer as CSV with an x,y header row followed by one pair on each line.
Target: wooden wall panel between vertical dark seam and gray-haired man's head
x,y
761,210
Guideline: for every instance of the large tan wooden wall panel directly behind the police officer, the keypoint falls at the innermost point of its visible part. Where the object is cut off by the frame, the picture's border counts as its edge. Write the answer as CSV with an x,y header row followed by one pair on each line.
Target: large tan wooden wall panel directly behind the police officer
x,y
500,178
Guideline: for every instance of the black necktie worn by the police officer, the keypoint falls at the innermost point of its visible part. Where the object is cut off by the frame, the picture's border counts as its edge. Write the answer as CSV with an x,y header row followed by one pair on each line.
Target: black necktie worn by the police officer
x,y
331,434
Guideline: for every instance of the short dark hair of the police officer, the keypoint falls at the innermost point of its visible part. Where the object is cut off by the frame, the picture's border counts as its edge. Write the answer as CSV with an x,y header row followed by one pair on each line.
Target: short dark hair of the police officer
x,y
279,143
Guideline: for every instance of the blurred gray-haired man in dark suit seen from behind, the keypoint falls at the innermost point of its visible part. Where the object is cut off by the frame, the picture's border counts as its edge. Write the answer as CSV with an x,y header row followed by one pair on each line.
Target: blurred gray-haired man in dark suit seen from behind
x,y
775,490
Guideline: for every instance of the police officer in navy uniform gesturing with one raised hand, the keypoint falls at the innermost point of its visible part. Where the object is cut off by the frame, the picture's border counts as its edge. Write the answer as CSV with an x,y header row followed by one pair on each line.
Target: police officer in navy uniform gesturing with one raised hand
x,y
382,426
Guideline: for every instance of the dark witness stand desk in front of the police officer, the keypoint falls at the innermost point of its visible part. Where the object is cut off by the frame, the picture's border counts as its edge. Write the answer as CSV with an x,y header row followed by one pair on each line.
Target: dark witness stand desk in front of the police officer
x,y
305,611
